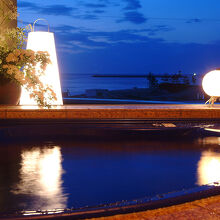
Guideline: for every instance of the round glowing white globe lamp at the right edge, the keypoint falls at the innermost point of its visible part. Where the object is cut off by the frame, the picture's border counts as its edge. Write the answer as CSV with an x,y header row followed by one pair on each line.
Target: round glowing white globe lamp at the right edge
x,y
211,83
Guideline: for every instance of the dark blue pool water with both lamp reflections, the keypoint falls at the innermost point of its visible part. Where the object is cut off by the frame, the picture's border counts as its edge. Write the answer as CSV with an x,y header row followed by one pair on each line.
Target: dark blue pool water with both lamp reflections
x,y
77,173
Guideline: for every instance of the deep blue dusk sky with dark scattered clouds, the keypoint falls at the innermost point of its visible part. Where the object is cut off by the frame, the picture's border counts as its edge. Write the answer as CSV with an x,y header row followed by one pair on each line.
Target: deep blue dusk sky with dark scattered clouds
x,y
131,36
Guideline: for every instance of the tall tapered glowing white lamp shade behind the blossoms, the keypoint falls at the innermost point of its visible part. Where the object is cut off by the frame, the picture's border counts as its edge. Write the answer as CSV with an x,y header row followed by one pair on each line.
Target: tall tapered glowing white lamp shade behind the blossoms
x,y
44,41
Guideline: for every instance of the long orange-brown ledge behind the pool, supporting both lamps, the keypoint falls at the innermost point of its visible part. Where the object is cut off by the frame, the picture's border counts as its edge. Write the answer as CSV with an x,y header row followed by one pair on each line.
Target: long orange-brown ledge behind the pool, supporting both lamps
x,y
114,111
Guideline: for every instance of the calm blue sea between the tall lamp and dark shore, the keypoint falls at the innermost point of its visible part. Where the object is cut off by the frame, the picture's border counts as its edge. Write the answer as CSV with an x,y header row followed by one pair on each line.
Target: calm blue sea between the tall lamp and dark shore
x,y
78,83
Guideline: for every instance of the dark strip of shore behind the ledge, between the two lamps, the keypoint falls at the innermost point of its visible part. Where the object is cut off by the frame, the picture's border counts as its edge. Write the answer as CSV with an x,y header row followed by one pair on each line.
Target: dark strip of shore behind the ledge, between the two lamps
x,y
189,94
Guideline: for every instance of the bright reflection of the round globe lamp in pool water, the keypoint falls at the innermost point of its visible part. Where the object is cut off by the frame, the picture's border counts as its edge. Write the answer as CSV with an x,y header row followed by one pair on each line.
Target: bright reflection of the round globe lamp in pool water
x,y
208,168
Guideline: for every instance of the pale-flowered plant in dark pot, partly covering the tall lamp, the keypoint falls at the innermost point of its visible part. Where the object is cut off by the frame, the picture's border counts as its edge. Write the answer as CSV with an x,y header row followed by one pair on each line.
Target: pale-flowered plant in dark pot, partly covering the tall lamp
x,y
20,67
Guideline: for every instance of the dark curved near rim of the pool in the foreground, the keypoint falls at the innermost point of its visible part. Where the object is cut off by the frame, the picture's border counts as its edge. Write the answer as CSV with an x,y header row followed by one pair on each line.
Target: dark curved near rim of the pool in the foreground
x,y
187,196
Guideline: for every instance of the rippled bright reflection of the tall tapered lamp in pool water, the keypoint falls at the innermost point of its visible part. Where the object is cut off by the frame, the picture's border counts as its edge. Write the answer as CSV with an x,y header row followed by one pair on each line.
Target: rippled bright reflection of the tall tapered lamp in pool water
x,y
41,178
